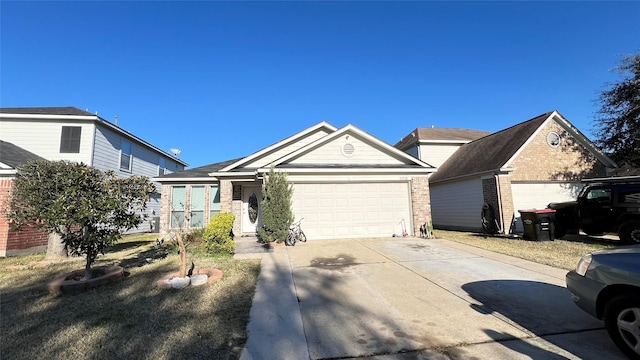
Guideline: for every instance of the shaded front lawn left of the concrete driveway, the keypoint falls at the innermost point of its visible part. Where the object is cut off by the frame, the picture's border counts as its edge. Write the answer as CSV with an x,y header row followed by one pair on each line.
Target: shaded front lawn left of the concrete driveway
x,y
128,319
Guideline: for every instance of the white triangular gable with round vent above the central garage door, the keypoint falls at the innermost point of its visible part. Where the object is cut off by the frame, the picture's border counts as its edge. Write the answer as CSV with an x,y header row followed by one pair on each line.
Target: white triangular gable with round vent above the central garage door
x,y
333,153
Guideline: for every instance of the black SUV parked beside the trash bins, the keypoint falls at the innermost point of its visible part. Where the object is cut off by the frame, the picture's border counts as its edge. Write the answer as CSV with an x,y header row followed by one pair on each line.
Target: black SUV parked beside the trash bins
x,y
603,205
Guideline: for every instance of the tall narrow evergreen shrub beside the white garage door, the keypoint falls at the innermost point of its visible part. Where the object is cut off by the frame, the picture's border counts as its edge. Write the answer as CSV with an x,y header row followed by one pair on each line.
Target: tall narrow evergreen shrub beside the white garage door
x,y
277,216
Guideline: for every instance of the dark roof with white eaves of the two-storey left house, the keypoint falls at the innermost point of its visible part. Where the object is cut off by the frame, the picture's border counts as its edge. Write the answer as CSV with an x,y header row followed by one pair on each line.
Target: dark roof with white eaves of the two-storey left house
x,y
73,113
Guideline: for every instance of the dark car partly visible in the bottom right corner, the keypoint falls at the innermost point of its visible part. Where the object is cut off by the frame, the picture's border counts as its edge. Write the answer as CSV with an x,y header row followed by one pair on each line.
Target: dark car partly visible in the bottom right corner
x,y
606,284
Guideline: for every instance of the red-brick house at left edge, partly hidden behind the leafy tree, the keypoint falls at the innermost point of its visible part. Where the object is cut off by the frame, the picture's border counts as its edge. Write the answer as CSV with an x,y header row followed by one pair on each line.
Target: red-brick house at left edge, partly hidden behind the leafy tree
x,y
28,239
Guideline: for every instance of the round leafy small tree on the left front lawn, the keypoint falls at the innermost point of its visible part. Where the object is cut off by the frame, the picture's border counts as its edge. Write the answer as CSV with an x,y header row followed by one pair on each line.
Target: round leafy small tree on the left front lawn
x,y
88,208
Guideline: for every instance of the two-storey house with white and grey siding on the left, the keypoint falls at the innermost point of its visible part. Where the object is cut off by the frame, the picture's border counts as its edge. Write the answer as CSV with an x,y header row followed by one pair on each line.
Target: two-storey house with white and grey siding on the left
x,y
68,133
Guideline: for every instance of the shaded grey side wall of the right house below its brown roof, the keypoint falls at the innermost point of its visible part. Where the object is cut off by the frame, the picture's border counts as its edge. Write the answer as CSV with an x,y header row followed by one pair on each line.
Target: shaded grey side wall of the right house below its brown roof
x,y
457,205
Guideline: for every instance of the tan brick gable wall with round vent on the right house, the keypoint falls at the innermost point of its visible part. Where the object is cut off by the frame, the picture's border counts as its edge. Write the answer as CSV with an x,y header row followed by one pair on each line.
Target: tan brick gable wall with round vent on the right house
x,y
570,161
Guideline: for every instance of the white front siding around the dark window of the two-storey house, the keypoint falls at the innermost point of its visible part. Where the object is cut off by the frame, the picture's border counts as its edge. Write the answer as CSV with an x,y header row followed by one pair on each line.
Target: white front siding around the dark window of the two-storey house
x,y
43,138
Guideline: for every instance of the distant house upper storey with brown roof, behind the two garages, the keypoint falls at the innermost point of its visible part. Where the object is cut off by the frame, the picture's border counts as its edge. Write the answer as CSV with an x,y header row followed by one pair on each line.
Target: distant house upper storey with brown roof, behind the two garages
x,y
435,145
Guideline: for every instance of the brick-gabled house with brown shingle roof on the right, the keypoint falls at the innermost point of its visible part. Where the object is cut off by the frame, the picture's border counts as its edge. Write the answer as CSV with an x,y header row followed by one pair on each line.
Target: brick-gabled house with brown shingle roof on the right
x,y
526,166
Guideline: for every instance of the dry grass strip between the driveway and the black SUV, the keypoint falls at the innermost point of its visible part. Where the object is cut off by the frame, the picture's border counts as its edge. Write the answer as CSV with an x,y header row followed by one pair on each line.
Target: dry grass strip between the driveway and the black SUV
x,y
562,253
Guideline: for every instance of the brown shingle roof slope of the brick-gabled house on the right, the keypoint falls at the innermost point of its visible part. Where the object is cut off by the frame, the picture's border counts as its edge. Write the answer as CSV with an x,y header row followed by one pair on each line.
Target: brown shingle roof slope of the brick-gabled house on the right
x,y
490,152
